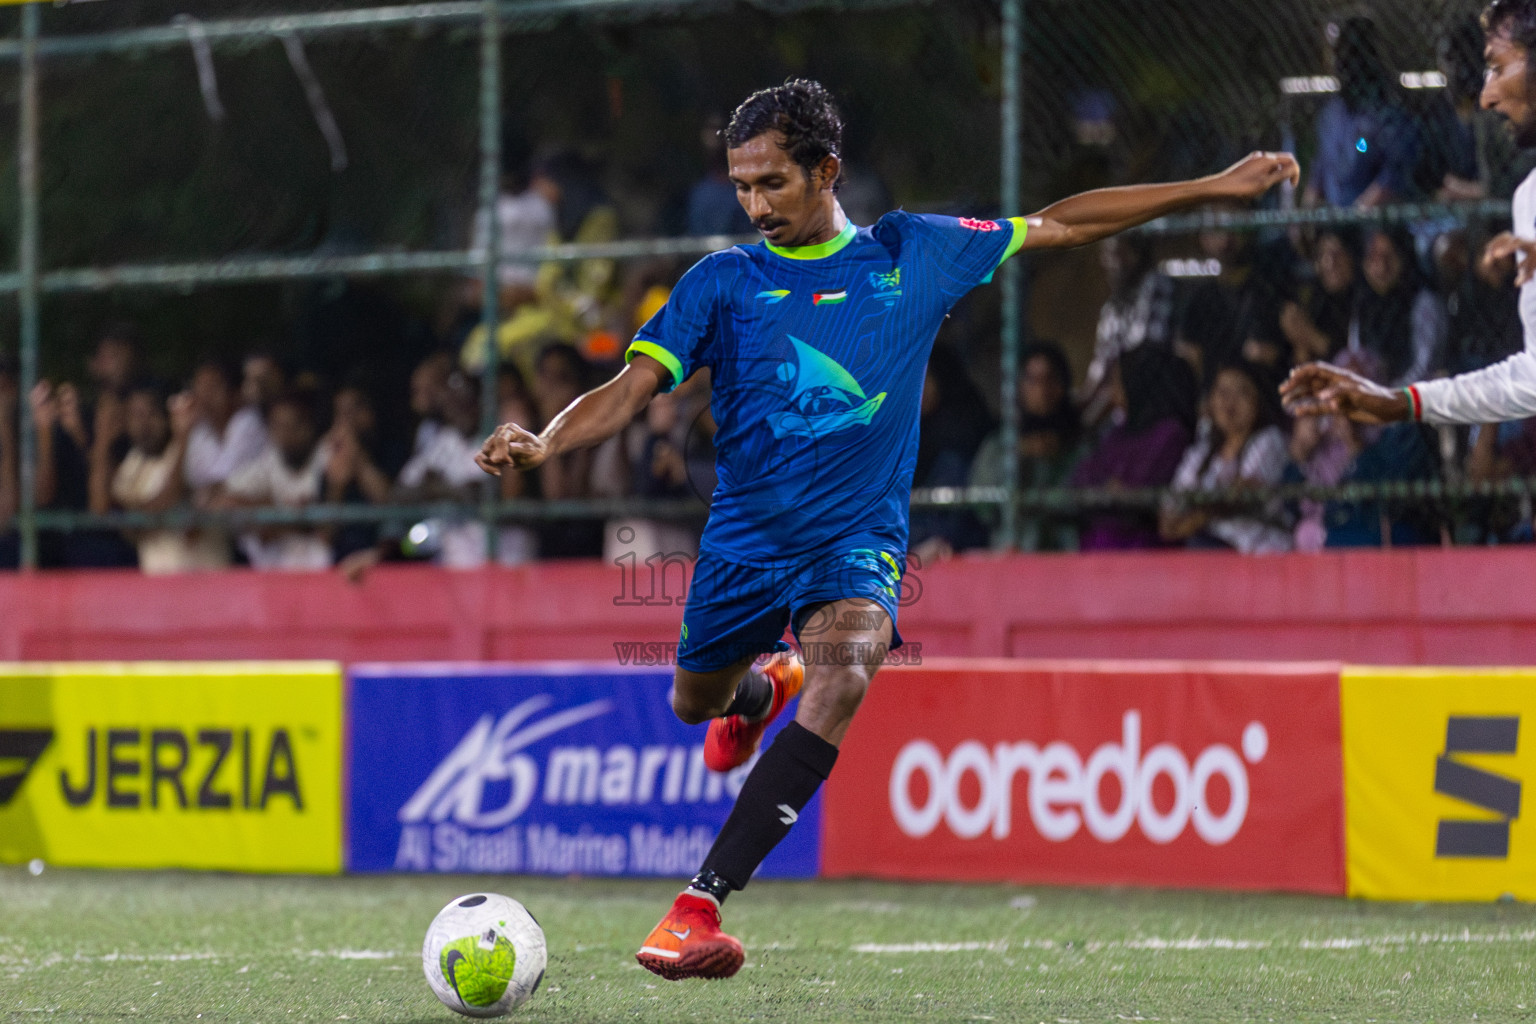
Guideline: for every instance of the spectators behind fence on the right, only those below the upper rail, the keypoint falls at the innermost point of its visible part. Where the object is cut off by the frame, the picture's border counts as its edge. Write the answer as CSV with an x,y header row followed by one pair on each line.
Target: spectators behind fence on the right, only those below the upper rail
x,y
1182,395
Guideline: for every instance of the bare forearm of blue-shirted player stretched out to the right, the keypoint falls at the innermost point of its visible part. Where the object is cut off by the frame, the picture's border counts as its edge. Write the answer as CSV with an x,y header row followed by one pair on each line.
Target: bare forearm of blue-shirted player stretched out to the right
x,y
1093,216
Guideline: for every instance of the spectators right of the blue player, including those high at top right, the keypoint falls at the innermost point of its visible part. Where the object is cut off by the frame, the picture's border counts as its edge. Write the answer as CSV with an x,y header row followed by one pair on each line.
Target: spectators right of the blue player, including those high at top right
x,y
1180,392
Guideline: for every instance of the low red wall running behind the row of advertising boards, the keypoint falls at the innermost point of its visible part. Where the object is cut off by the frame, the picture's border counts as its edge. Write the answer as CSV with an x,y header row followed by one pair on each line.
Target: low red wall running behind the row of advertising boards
x,y
1412,607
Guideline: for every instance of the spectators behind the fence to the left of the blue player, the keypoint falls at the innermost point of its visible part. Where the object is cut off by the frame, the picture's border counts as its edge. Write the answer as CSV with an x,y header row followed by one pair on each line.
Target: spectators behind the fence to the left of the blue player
x,y
260,434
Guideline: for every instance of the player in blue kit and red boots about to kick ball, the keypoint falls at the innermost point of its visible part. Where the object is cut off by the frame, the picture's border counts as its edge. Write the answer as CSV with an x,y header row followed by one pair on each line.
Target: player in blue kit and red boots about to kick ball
x,y
818,345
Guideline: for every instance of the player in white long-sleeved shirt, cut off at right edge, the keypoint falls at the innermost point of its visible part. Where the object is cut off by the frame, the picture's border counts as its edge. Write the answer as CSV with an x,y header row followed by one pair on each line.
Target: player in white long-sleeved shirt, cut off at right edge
x,y
1506,391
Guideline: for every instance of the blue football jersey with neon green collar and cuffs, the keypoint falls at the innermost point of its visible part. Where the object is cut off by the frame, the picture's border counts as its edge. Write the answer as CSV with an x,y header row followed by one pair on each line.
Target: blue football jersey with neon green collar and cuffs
x,y
818,358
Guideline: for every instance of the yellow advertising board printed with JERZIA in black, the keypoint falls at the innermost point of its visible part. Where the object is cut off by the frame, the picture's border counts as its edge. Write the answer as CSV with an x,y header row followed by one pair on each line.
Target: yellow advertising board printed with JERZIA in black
x,y
230,767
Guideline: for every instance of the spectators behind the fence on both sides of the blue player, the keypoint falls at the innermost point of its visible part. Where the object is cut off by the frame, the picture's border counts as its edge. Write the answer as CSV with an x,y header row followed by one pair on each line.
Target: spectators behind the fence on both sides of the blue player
x,y
1180,395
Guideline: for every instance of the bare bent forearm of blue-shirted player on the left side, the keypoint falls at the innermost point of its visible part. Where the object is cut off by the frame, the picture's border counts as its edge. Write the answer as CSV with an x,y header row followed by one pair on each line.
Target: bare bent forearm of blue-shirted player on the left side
x,y
589,421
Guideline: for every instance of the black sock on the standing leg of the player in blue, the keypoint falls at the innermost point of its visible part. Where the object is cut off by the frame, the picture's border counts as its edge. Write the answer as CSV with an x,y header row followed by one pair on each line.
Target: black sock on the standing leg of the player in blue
x,y
783,782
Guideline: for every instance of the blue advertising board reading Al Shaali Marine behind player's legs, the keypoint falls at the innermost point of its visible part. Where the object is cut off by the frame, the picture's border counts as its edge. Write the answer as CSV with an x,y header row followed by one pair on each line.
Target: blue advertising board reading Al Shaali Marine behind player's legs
x,y
538,770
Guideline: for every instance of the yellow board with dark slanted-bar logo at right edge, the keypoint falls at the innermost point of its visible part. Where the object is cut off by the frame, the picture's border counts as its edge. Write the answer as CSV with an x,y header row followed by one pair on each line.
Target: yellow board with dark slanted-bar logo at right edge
x,y
1435,767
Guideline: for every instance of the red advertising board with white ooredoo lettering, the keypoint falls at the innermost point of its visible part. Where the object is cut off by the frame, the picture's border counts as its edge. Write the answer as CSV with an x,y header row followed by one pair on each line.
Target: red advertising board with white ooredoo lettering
x,y
1076,773
